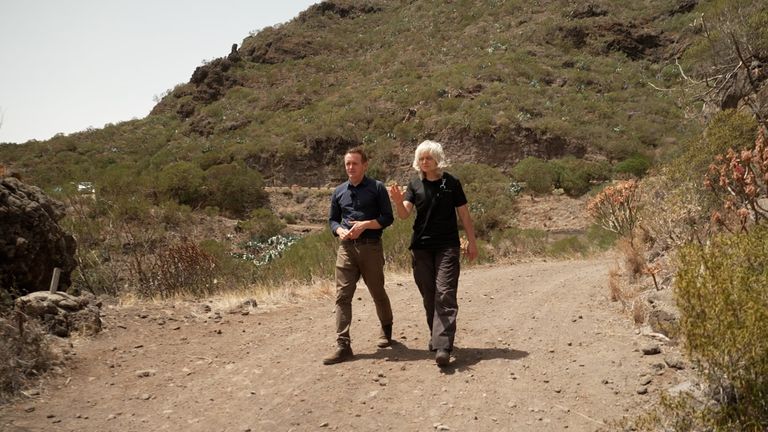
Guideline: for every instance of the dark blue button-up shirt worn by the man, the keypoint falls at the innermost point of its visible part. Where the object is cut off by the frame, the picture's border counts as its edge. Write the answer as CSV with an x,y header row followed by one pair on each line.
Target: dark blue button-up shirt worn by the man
x,y
366,201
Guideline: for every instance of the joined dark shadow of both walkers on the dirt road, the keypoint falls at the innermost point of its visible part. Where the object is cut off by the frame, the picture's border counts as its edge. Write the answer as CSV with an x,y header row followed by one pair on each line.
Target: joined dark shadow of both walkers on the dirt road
x,y
461,358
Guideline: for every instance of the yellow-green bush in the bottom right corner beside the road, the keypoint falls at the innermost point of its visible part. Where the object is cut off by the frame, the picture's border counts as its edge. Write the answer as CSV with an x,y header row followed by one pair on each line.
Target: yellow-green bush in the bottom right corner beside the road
x,y
722,294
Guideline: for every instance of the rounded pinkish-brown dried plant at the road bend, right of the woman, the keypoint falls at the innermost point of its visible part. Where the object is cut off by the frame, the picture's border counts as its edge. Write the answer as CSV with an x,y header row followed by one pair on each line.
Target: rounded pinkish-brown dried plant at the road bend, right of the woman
x,y
615,208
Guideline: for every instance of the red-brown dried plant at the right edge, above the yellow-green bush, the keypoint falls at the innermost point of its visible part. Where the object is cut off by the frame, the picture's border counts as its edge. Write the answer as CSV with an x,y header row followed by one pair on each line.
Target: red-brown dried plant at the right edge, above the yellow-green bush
x,y
740,179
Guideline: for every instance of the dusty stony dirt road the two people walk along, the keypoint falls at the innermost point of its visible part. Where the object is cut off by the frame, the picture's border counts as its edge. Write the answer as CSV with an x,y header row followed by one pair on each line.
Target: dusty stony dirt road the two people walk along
x,y
539,348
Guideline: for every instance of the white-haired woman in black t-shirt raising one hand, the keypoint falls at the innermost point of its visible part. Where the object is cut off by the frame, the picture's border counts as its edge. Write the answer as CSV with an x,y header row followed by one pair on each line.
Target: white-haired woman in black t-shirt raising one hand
x,y
438,197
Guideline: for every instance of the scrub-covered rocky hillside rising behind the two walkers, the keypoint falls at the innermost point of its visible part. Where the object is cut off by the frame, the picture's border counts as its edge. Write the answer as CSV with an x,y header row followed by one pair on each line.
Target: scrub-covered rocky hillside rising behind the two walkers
x,y
495,81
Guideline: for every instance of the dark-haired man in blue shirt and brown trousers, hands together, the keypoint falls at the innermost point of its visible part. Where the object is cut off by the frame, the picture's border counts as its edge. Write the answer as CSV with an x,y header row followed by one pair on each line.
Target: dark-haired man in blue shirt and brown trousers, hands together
x,y
360,210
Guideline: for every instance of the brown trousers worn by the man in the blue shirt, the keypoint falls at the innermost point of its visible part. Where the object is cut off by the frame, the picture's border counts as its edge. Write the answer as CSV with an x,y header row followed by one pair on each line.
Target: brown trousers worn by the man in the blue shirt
x,y
354,259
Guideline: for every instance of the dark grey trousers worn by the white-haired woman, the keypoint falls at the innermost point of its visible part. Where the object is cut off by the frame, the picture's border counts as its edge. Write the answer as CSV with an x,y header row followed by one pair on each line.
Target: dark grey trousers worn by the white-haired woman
x,y
436,273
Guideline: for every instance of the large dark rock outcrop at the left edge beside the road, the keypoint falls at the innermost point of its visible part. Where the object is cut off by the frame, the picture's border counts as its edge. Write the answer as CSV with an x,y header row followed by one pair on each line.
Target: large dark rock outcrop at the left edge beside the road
x,y
31,241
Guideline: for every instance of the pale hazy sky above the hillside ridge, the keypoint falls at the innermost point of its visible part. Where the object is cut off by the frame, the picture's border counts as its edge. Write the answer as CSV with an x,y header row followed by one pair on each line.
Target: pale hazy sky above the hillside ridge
x,y
70,65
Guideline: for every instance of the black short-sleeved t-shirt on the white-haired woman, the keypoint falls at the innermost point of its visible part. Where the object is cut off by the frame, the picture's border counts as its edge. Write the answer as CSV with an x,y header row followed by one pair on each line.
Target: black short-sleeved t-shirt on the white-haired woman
x,y
441,229
